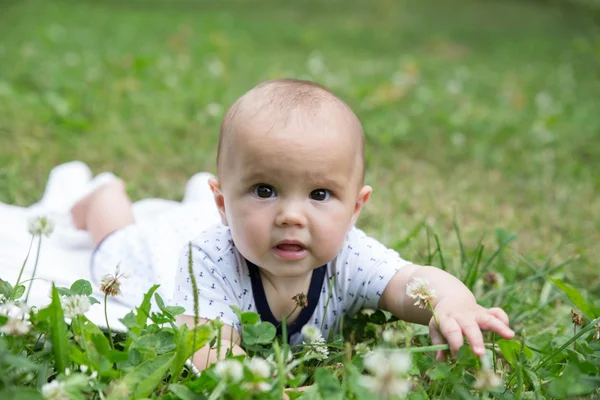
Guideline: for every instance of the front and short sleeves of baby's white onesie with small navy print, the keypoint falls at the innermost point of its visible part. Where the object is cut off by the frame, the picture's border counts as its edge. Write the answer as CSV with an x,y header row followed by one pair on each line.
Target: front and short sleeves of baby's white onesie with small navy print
x,y
359,274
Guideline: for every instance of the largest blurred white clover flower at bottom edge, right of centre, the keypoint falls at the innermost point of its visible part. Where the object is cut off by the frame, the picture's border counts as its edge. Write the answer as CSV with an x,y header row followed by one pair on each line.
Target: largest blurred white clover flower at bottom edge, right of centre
x,y
389,371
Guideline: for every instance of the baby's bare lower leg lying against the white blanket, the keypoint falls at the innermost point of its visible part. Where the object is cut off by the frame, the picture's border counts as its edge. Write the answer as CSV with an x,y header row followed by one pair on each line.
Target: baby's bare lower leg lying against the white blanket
x,y
103,211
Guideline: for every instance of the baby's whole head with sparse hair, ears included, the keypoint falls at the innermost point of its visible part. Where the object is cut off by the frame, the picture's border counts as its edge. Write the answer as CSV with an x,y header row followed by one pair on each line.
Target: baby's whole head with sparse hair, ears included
x,y
290,175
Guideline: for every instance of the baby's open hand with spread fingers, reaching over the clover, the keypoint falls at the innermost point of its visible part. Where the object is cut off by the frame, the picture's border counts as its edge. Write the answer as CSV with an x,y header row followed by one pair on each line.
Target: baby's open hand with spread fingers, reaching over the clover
x,y
464,317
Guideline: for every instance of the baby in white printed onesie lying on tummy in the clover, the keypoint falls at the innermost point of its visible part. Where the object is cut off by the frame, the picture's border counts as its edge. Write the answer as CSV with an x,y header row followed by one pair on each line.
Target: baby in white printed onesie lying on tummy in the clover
x,y
289,189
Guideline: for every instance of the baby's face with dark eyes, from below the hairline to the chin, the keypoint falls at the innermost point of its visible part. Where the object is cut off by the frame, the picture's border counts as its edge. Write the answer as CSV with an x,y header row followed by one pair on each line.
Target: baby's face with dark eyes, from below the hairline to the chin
x,y
290,193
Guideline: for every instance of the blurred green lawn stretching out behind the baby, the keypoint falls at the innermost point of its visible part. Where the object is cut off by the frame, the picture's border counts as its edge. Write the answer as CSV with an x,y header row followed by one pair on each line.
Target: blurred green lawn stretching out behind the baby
x,y
487,111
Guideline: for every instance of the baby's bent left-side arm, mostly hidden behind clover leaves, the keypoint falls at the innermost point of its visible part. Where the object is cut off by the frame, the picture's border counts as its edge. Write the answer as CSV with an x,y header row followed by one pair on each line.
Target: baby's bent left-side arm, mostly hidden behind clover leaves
x,y
205,357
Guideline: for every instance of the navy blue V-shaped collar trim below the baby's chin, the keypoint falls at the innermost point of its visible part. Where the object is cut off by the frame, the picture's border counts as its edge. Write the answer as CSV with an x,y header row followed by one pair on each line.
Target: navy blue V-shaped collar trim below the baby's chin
x,y
262,305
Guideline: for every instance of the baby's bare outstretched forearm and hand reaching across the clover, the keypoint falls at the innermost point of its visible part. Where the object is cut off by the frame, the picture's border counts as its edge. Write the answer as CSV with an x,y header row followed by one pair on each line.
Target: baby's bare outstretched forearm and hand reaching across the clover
x,y
455,307
